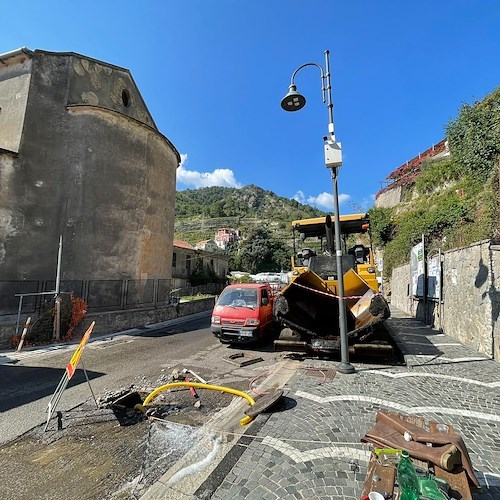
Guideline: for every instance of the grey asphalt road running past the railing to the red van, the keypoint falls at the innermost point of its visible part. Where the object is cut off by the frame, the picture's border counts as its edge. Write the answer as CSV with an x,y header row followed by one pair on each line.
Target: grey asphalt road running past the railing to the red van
x,y
143,357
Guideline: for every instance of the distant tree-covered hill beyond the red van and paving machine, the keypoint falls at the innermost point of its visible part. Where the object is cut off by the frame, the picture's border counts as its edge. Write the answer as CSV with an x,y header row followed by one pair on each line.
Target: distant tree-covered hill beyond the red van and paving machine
x,y
263,219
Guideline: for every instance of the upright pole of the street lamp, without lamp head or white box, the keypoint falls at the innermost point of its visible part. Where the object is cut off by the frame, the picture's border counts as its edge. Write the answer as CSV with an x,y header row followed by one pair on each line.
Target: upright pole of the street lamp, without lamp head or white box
x,y
344,366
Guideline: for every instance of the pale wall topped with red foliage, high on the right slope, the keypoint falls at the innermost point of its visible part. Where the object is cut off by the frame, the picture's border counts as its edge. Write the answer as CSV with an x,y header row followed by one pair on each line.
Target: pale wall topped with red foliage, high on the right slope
x,y
405,175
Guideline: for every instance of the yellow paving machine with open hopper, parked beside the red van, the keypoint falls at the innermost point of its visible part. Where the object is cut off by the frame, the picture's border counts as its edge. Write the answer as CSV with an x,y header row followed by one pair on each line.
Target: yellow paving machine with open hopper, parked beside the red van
x,y
307,308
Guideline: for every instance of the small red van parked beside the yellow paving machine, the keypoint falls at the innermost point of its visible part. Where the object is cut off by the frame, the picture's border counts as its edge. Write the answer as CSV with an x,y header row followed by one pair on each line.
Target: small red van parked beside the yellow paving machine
x,y
243,313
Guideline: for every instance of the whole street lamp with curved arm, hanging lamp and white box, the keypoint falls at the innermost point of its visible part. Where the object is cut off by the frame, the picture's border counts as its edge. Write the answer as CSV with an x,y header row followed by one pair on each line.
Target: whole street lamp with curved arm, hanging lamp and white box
x,y
294,101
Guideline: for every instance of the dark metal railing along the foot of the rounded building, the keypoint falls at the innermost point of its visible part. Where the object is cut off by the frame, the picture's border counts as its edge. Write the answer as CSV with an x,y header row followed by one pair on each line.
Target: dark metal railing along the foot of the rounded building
x,y
100,295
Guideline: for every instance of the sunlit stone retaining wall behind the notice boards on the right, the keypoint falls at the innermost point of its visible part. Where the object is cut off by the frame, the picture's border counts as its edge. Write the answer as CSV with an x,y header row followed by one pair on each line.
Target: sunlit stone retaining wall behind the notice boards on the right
x,y
469,311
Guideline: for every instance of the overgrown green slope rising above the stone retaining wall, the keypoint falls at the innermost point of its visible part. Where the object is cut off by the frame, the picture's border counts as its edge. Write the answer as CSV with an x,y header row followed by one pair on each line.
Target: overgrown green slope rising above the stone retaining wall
x,y
455,201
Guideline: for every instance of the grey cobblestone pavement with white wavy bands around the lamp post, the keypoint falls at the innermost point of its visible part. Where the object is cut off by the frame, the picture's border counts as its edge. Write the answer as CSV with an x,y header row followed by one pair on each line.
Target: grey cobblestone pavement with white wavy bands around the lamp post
x,y
312,448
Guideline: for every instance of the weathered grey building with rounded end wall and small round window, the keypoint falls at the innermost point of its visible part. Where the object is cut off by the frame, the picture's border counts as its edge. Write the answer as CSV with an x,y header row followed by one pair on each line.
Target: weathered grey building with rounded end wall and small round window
x,y
81,158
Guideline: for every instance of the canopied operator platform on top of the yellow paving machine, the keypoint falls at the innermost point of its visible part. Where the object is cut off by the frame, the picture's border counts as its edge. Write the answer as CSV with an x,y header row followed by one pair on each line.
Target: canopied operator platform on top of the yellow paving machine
x,y
314,247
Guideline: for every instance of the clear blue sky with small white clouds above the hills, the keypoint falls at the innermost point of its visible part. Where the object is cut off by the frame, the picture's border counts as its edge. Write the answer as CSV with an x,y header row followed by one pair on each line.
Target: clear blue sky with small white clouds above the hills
x,y
213,73
